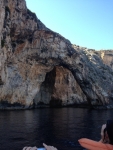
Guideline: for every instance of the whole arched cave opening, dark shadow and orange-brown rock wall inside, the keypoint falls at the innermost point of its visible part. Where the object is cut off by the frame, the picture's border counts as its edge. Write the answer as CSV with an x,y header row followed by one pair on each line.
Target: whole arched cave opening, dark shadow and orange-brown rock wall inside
x,y
60,88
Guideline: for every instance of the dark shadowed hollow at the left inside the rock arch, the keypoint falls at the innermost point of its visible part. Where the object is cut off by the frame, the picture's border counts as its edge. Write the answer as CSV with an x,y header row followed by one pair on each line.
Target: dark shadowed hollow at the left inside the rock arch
x,y
45,95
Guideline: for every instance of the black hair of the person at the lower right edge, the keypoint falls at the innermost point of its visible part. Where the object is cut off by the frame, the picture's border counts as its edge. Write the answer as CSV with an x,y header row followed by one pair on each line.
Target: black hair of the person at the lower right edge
x,y
109,128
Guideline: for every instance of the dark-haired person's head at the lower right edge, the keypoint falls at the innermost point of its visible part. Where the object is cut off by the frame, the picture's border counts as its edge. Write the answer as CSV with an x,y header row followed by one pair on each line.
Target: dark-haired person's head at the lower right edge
x,y
107,132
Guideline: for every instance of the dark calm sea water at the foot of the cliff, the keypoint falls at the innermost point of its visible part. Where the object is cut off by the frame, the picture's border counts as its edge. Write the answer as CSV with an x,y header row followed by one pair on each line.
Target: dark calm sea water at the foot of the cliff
x,y
61,127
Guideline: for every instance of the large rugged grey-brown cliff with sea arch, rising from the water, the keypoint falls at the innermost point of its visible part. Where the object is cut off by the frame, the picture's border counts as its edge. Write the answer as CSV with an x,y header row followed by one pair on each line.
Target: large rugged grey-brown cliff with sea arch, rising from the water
x,y
39,66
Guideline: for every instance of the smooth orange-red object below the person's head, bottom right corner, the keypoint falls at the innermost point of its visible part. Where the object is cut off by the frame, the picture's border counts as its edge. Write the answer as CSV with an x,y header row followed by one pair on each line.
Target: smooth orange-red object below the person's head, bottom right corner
x,y
93,145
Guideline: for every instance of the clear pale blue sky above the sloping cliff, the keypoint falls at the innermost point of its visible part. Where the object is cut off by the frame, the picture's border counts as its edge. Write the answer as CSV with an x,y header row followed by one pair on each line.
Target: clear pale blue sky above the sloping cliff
x,y
87,23
